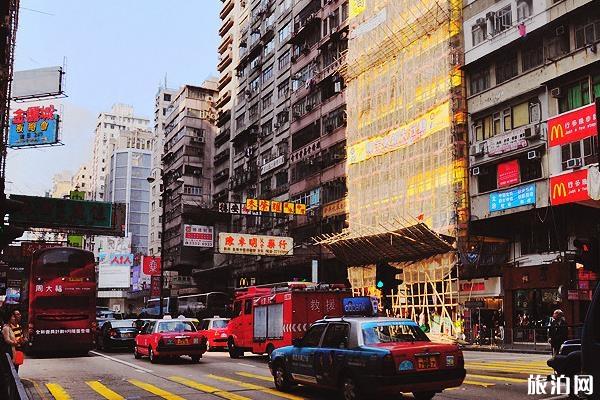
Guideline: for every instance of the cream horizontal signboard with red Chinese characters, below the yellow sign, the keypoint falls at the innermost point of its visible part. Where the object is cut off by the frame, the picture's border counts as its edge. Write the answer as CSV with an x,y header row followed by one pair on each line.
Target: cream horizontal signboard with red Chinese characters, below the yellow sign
x,y
258,245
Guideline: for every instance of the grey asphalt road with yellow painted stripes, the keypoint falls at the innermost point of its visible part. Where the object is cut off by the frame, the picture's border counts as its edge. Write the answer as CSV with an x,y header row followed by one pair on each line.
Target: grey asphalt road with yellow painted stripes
x,y
120,376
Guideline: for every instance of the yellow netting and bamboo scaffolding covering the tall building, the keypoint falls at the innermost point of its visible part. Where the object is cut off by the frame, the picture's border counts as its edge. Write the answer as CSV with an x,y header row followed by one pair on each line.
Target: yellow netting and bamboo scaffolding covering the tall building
x,y
406,158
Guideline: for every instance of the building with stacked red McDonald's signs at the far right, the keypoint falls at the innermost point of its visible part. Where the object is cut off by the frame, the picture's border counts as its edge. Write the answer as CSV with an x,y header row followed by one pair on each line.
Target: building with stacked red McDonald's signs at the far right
x,y
533,71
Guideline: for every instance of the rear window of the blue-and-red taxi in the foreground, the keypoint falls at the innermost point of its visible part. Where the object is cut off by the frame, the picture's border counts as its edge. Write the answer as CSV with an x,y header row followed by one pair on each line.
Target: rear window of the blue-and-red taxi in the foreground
x,y
392,332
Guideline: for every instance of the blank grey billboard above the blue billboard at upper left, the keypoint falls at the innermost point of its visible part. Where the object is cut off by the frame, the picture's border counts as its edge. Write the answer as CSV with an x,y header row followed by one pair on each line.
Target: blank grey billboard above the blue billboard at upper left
x,y
37,83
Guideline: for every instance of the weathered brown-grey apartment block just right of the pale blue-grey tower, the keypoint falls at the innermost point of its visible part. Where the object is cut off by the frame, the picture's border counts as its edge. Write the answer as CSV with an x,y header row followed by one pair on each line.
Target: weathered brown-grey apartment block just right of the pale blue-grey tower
x,y
187,173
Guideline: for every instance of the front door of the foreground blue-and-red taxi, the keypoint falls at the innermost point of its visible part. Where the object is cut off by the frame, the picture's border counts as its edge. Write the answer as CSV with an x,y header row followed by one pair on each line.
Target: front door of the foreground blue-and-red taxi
x,y
303,356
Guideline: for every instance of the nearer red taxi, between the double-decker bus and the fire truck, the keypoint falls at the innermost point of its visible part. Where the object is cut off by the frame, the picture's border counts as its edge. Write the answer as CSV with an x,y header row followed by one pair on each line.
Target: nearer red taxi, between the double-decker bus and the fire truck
x,y
169,338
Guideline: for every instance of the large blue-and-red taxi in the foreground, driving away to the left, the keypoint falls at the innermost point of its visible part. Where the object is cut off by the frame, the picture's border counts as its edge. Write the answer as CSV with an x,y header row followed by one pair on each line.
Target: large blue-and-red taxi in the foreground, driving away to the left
x,y
367,356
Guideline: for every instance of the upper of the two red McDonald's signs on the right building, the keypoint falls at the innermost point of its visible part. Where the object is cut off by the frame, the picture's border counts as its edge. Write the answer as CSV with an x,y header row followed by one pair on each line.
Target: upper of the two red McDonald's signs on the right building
x,y
572,126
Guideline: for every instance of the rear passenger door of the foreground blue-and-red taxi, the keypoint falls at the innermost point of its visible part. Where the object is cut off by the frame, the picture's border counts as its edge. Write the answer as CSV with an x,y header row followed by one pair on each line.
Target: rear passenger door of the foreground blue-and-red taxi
x,y
331,356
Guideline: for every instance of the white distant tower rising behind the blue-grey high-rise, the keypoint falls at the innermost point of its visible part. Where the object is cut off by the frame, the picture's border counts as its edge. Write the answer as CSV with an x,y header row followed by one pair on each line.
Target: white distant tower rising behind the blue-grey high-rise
x,y
109,125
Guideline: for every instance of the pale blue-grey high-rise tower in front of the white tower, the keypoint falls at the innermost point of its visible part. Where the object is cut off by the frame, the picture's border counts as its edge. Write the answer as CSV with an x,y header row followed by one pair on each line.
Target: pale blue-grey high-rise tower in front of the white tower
x,y
130,163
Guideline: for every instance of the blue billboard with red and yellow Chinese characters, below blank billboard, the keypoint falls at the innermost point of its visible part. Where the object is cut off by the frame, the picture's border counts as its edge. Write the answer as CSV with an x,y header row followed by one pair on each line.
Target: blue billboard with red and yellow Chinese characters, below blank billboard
x,y
35,126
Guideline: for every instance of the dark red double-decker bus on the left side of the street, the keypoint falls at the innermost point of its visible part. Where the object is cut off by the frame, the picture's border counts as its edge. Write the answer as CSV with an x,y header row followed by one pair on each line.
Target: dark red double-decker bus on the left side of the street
x,y
62,301
